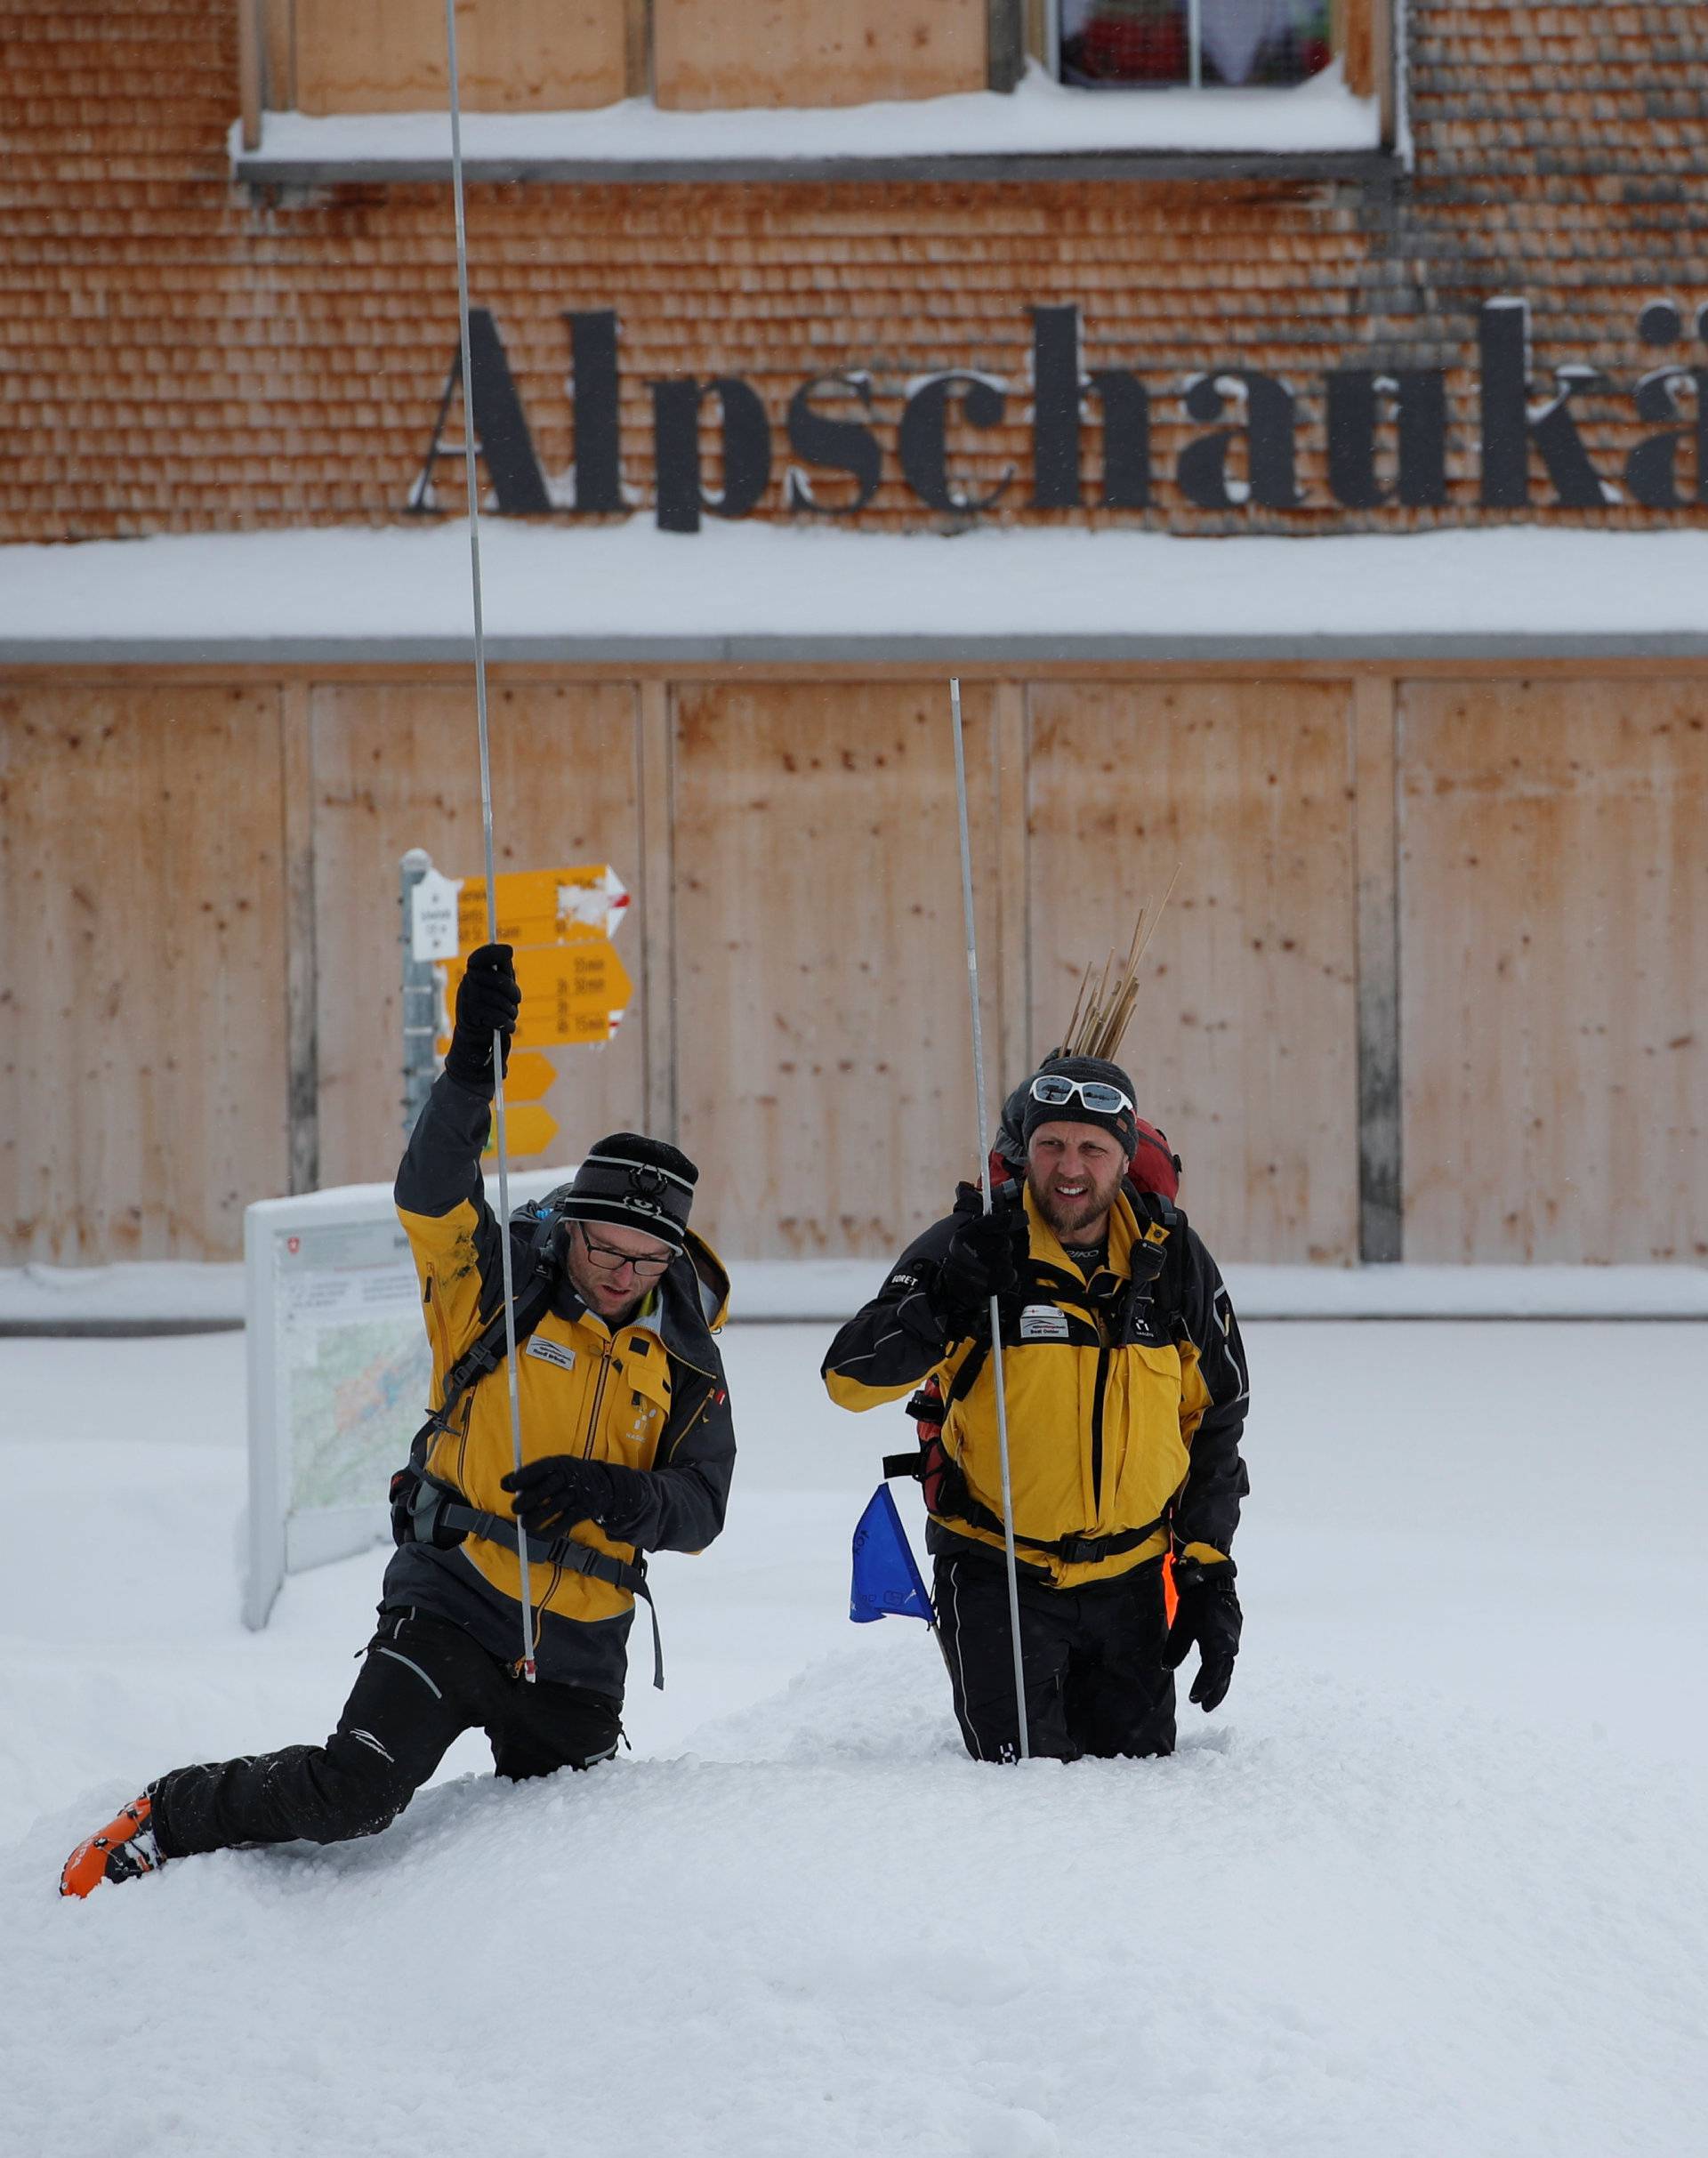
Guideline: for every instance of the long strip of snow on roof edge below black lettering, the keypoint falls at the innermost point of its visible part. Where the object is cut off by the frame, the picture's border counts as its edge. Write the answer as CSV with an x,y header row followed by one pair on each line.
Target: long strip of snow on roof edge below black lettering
x,y
606,588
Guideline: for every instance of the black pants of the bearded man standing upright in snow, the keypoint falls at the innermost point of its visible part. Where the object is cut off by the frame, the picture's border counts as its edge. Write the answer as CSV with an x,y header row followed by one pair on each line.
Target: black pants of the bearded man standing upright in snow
x,y
1092,1661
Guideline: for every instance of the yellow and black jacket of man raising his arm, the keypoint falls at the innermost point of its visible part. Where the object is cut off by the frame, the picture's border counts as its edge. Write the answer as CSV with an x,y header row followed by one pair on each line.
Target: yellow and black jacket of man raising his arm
x,y
649,1395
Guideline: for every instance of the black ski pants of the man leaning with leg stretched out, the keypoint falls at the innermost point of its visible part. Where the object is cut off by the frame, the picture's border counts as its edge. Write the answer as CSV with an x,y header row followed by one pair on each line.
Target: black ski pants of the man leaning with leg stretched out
x,y
424,1682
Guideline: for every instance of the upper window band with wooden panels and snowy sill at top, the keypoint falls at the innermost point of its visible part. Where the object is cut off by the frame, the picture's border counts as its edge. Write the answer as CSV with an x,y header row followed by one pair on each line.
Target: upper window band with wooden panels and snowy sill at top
x,y
569,90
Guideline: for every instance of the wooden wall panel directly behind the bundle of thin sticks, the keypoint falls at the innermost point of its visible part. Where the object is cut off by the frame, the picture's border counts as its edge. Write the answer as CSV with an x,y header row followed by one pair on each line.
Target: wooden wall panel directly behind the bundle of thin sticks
x,y
1245,1043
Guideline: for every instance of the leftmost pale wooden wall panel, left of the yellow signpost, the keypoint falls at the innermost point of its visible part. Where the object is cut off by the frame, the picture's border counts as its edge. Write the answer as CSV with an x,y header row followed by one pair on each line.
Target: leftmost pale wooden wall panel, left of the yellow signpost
x,y
144,1002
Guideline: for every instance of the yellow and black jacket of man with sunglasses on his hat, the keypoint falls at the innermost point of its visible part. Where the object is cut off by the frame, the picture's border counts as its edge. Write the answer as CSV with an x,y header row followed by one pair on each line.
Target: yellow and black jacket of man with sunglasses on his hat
x,y
1126,1395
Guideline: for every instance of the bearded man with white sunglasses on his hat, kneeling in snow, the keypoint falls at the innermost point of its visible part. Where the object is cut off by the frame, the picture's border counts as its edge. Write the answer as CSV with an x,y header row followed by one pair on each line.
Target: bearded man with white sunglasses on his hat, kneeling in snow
x,y
1126,1393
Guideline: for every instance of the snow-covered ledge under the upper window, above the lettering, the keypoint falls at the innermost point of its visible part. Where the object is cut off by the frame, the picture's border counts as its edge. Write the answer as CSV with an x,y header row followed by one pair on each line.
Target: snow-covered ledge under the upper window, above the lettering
x,y
1042,131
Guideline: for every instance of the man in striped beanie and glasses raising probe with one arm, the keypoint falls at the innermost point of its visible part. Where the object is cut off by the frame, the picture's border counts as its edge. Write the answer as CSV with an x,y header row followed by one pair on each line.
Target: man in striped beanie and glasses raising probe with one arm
x,y
627,1449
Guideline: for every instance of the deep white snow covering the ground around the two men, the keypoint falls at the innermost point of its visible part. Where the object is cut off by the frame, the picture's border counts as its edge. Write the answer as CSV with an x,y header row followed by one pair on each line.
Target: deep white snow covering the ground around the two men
x,y
1433,1881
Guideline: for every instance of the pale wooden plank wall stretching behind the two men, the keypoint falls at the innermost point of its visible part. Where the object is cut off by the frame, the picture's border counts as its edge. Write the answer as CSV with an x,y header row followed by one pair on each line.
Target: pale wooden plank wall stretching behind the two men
x,y
1435,981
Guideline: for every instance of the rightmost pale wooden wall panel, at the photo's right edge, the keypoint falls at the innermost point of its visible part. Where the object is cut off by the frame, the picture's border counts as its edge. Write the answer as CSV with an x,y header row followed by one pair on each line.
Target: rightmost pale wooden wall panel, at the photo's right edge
x,y
1556,970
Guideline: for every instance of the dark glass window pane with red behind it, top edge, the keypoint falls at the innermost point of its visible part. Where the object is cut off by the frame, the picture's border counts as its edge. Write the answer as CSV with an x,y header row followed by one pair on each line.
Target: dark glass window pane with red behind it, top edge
x,y
1193,44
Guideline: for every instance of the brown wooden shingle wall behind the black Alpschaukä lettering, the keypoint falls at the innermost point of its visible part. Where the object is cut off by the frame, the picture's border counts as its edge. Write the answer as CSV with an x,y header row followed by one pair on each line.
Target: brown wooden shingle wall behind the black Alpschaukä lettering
x,y
185,355
